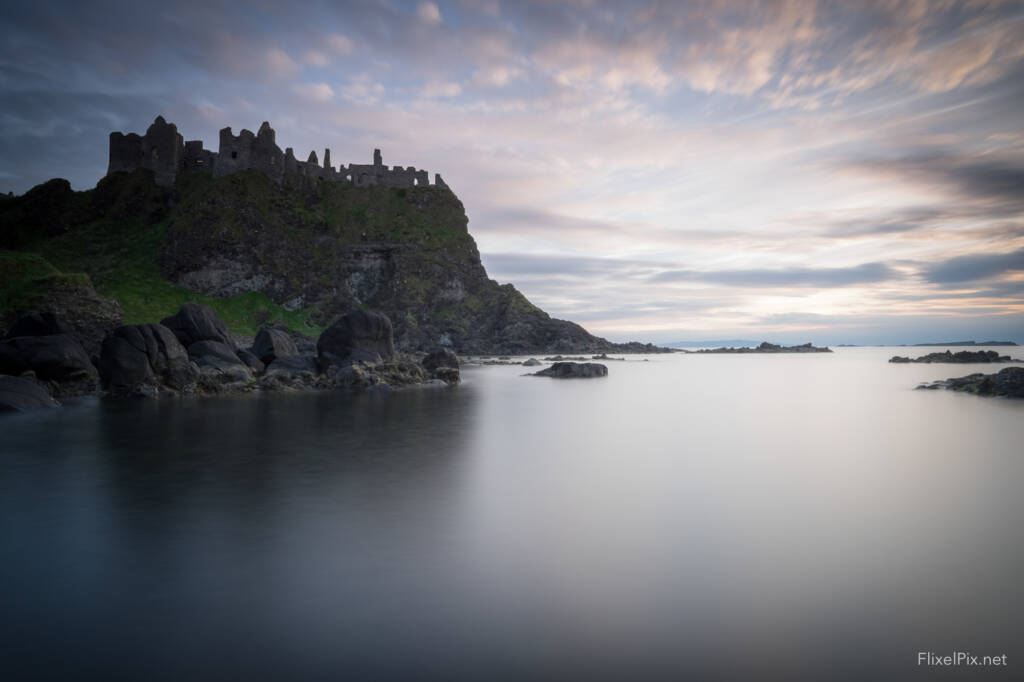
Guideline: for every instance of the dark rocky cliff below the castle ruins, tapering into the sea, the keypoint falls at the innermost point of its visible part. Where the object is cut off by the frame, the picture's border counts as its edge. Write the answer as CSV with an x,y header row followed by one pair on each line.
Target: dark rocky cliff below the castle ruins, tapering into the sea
x,y
313,252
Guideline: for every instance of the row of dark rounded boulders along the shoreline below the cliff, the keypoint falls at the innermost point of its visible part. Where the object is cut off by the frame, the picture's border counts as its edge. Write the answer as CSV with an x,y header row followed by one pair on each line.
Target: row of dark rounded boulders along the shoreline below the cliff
x,y
192,353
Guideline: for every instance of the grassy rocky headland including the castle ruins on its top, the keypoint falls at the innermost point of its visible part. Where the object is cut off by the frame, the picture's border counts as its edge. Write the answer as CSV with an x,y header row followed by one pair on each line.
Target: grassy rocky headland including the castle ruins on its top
x,y
265,241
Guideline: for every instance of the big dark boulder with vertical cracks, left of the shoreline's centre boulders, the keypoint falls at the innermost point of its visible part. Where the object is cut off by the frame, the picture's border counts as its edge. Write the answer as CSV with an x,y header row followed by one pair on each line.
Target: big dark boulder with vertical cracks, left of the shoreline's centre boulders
x,y
138,358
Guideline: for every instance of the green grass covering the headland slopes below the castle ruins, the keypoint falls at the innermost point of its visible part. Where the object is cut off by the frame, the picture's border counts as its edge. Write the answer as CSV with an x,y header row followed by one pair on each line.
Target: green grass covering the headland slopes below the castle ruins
x,y
111,238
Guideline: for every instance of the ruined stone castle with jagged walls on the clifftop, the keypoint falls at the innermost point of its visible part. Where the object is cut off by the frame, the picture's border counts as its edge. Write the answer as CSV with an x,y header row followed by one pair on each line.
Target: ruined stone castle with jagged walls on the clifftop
x,y
163,151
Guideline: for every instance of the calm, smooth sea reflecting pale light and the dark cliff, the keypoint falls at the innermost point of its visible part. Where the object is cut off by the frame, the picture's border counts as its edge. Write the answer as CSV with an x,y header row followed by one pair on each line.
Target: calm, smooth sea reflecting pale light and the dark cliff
x,y
688,518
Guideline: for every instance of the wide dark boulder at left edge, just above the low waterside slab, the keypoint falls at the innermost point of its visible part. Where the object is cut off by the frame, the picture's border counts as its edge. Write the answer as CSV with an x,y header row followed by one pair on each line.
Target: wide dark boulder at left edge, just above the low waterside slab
x,y
57,358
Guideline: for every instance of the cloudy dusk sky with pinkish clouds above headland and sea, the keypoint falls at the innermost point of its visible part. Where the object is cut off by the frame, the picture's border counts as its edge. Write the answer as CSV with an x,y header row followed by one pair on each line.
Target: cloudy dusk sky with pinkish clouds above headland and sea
x,y
836,173
